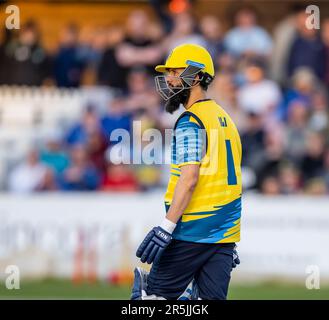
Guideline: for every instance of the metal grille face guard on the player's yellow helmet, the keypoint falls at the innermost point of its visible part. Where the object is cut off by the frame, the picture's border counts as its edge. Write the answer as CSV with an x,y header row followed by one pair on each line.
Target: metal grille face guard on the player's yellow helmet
x,y
186,79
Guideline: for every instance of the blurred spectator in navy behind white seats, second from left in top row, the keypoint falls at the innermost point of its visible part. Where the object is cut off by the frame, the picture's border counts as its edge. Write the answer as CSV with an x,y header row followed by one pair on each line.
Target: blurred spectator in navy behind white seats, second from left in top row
x,y
68,64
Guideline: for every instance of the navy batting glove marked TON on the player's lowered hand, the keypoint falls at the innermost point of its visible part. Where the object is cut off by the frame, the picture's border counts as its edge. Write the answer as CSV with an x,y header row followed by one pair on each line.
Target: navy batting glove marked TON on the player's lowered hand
x,y
152,247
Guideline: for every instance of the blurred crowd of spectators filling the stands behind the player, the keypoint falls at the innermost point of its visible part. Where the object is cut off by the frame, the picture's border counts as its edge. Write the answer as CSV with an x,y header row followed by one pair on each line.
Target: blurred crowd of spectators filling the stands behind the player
x,y
273,84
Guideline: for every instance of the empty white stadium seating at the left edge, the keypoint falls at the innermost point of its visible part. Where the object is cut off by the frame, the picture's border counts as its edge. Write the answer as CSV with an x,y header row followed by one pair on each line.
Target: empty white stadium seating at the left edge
x,y
28,114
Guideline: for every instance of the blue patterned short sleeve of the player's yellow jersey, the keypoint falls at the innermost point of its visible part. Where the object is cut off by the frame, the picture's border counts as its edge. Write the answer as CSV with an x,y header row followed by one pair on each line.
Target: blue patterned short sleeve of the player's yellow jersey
x,y
189,142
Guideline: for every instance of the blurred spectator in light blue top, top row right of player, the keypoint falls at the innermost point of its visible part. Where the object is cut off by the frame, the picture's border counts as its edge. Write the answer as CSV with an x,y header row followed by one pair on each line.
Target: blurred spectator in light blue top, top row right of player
x,y
247,38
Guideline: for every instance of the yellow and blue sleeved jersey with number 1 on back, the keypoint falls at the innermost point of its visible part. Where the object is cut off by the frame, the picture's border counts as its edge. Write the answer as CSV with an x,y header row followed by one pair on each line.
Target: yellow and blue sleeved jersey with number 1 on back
x,y
206,135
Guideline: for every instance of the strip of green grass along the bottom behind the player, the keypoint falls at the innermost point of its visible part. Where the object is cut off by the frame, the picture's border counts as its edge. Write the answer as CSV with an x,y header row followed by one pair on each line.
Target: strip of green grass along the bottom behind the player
x,y
64,289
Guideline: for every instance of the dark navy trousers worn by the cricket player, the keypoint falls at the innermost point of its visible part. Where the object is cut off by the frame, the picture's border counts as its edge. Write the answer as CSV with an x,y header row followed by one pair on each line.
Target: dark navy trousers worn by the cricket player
x,y
209,264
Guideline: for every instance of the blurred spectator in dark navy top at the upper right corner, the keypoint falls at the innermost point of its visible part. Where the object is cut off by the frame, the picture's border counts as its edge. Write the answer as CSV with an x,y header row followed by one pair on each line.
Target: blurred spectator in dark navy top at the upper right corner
x,y
307,49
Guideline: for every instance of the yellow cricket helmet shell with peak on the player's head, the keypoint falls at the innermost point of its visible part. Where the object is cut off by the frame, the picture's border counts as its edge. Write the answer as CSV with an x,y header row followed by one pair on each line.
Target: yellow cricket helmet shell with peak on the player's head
x,y
188,54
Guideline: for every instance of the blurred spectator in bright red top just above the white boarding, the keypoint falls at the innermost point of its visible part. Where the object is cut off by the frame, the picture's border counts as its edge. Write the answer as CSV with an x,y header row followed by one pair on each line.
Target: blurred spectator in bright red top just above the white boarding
x,y
120,178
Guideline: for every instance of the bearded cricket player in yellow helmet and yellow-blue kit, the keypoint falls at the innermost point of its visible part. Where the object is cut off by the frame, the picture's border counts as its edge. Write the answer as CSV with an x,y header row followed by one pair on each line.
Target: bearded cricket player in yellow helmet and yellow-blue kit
x,y
196,240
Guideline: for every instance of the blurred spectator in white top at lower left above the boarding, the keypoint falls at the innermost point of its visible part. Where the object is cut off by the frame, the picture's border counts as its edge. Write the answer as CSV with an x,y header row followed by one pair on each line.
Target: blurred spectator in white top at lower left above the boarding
x,y
30,176
